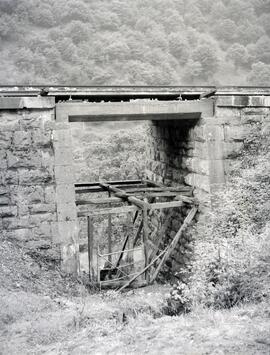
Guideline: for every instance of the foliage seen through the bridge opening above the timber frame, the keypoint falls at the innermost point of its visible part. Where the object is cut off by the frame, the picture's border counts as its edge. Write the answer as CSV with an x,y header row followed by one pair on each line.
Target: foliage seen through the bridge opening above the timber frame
x,y
117,155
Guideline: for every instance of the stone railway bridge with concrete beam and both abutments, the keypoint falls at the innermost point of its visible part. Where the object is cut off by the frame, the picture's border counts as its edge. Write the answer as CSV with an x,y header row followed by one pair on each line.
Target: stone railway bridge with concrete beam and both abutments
x,y
194,133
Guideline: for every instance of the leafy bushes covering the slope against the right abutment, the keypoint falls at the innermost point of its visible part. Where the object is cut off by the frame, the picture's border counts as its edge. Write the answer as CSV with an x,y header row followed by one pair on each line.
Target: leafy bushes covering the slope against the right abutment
x,y
232,251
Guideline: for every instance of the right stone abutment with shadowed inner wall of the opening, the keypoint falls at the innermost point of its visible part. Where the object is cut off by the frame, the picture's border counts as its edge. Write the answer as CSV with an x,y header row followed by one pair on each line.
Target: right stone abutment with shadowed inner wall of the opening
x,y
200,154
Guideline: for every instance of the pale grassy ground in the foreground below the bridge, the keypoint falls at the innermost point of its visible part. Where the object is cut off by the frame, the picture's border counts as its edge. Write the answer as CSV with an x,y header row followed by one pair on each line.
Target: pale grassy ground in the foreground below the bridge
x,y
43,313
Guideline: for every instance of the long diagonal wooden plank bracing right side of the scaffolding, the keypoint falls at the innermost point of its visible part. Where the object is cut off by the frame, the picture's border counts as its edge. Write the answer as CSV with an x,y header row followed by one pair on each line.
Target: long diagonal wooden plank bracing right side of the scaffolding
x,y
173,244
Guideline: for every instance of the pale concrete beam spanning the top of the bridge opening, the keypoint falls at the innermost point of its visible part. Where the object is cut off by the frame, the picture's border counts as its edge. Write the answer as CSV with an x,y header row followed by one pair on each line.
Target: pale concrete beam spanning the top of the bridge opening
x,y
136,110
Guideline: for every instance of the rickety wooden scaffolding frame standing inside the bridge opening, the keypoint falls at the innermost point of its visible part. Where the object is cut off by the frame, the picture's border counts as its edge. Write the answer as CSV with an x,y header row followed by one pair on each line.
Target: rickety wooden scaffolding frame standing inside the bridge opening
x,y
136,198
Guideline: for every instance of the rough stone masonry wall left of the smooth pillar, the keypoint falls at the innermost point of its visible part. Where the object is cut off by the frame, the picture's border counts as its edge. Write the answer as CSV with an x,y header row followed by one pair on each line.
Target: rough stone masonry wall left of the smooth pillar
x,y
27,179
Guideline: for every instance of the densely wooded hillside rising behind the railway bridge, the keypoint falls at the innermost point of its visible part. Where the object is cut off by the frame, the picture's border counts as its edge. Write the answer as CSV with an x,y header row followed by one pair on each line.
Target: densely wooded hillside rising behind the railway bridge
x,y
138,42
